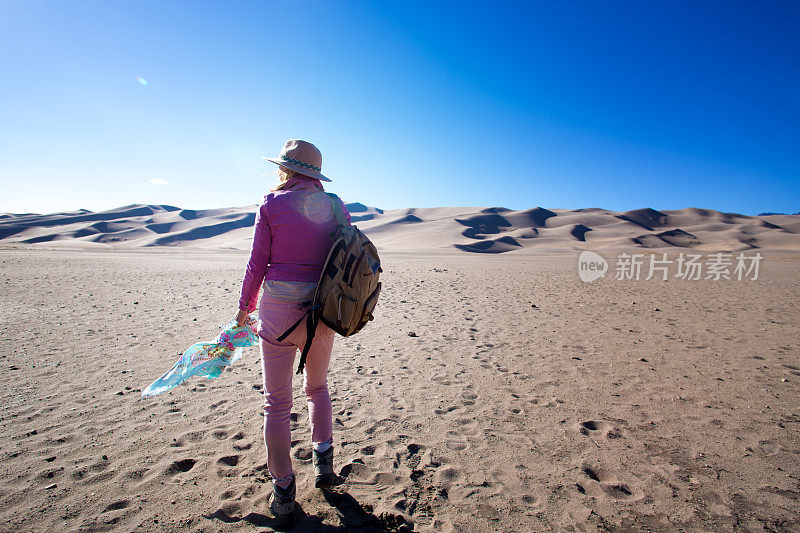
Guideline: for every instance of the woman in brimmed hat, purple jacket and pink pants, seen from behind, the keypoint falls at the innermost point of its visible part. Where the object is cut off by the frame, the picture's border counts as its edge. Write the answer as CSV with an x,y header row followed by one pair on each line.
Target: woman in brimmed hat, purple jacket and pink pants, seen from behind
x,y
290,244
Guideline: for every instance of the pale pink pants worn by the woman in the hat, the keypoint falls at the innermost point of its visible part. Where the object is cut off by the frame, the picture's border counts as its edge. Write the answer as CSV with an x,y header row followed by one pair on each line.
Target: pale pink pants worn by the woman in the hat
x,y
278,368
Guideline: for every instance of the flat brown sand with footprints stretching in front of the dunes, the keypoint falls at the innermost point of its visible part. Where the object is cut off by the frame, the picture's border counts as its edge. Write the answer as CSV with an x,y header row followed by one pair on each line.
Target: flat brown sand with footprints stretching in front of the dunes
x,y
493,392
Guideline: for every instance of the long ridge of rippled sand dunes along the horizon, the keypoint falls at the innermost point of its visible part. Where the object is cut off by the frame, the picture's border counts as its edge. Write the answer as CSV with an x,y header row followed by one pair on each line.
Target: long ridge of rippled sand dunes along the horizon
x,y
466,229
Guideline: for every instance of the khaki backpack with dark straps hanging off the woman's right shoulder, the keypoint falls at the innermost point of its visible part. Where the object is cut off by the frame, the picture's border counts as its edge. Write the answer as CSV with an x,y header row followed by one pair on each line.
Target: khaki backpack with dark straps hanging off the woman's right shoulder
x,y
348,287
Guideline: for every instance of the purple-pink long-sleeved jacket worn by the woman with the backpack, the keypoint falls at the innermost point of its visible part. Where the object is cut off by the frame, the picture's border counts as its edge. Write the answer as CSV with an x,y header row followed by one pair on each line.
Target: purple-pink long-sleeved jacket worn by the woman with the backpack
x,y
291,237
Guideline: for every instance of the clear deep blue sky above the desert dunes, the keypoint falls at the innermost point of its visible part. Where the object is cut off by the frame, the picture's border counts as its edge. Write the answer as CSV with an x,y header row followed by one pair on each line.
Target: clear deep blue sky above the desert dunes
x,y
618,105
